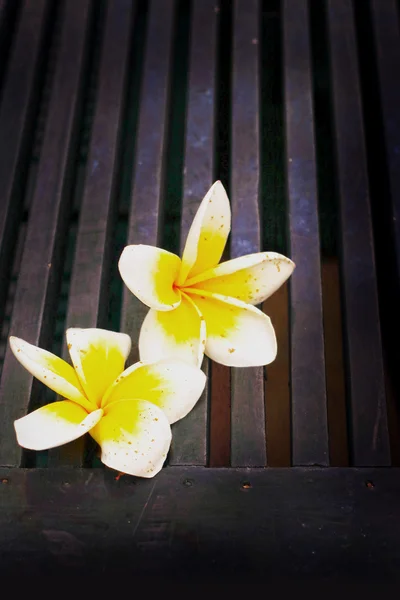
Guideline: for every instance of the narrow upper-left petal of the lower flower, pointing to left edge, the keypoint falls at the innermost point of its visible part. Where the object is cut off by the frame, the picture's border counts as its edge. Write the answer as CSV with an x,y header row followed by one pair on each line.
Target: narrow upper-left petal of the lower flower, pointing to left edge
x,y
51,370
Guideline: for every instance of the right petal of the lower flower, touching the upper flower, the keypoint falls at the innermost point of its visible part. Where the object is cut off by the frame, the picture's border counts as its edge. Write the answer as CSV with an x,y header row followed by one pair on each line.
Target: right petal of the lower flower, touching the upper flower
x,y
173,386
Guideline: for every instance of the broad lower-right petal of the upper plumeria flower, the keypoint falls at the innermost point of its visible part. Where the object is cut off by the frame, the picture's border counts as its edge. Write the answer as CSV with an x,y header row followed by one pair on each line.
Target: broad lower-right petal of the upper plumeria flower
x,y
238,334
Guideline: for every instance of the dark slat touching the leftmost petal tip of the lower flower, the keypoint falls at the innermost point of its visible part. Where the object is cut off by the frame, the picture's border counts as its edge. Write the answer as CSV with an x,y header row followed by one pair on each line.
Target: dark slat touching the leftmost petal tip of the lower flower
x,y
41,261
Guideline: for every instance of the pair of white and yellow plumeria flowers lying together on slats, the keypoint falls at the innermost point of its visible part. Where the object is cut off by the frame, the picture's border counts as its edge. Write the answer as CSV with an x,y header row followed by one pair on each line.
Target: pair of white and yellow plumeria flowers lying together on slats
x,y
197,307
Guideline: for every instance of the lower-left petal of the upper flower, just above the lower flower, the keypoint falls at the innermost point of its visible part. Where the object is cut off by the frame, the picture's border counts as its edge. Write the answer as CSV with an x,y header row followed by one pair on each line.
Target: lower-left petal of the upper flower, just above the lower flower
x,y
179,334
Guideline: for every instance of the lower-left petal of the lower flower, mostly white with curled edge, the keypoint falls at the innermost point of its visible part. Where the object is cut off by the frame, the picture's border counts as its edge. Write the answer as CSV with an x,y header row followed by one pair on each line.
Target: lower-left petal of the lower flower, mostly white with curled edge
x,y
54,425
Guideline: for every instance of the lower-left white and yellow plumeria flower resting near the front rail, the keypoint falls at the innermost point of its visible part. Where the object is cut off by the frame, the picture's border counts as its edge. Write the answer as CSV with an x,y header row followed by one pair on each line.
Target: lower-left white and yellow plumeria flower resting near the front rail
x,y
128,412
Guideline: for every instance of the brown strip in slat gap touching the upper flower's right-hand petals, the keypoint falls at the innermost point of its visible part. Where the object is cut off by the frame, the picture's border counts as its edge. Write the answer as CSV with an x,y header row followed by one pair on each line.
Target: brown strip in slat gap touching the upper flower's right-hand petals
x,y
277,381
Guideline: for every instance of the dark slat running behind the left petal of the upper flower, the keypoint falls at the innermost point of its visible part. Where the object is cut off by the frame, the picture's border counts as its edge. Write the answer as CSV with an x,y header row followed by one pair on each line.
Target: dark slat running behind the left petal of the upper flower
x,y
147,188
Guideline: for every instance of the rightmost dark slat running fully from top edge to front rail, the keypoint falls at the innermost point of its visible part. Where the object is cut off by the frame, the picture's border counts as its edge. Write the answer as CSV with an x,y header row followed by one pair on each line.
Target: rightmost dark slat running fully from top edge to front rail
x,y
370,439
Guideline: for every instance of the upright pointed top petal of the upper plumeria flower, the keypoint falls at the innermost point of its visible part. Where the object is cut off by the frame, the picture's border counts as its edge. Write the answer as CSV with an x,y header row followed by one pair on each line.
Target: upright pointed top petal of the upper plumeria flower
x,y
208,234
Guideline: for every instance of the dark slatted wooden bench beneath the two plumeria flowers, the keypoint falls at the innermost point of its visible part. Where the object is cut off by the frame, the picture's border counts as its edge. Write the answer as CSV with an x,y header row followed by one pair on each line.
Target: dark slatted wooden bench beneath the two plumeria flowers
x,y
115,118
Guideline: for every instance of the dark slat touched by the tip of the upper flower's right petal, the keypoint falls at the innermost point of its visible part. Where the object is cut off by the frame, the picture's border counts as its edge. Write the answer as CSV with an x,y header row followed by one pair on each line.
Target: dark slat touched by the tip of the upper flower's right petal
x,y
309,407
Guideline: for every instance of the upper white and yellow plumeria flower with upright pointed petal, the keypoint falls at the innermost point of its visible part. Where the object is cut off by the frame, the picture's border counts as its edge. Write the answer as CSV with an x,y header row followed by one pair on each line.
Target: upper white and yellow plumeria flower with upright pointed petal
x,y
198,306
